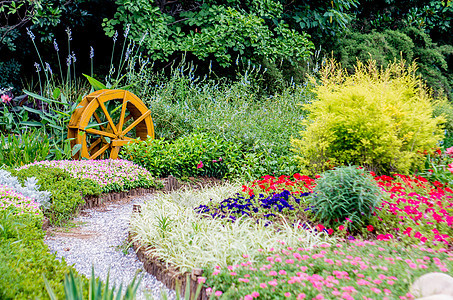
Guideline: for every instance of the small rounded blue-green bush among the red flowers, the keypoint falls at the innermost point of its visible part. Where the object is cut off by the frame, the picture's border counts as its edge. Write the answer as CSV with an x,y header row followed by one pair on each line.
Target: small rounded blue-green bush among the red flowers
x,y
345,192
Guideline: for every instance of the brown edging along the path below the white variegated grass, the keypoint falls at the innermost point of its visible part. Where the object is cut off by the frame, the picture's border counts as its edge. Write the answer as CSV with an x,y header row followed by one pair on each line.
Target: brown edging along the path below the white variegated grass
x,y
167,273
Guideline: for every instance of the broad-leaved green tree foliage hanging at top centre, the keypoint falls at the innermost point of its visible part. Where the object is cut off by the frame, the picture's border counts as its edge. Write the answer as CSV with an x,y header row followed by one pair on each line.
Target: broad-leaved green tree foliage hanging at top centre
x,y
217,29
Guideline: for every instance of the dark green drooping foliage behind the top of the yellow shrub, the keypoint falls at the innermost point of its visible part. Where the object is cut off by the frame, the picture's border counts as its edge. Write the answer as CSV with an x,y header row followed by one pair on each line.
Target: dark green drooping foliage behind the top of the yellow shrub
x,y
410,43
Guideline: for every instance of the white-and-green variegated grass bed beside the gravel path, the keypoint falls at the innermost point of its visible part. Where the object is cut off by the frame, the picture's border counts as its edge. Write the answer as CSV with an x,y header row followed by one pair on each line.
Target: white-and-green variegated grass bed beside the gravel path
x,y
176,234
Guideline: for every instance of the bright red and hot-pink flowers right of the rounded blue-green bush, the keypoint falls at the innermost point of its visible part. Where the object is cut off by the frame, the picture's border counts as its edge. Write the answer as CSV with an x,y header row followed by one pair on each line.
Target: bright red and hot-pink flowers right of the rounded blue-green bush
x,y
415,210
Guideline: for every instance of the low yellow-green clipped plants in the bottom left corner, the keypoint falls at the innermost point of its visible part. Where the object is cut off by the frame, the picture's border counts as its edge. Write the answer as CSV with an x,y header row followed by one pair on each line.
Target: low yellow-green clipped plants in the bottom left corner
x,y
25,258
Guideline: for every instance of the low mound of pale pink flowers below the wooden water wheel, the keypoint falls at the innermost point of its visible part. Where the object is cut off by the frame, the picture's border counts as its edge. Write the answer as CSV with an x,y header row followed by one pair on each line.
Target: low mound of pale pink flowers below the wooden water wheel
x,y
111,175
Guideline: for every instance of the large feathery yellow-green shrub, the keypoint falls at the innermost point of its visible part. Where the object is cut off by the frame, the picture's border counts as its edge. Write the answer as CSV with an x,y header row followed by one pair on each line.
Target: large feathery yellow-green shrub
x,y
378,118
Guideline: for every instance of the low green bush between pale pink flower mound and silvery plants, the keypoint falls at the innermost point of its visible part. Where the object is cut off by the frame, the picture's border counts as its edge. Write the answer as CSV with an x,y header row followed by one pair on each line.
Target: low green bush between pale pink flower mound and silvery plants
x,y
67,192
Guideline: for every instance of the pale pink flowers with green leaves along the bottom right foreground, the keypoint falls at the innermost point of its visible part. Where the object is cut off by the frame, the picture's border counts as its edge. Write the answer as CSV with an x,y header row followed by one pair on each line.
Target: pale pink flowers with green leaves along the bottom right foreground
x,y
346,270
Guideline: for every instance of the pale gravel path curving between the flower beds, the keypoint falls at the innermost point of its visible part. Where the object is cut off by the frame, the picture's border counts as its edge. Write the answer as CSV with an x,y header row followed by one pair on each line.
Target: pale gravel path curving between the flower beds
x,y
101,242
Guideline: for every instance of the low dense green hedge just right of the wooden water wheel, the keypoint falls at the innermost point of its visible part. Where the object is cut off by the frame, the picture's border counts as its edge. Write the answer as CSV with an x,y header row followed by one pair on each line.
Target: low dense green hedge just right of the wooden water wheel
x,y
202,154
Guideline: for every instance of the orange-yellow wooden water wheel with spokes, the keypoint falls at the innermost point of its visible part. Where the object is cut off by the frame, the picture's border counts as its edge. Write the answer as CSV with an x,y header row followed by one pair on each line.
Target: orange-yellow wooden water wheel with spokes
x,y
107,120
